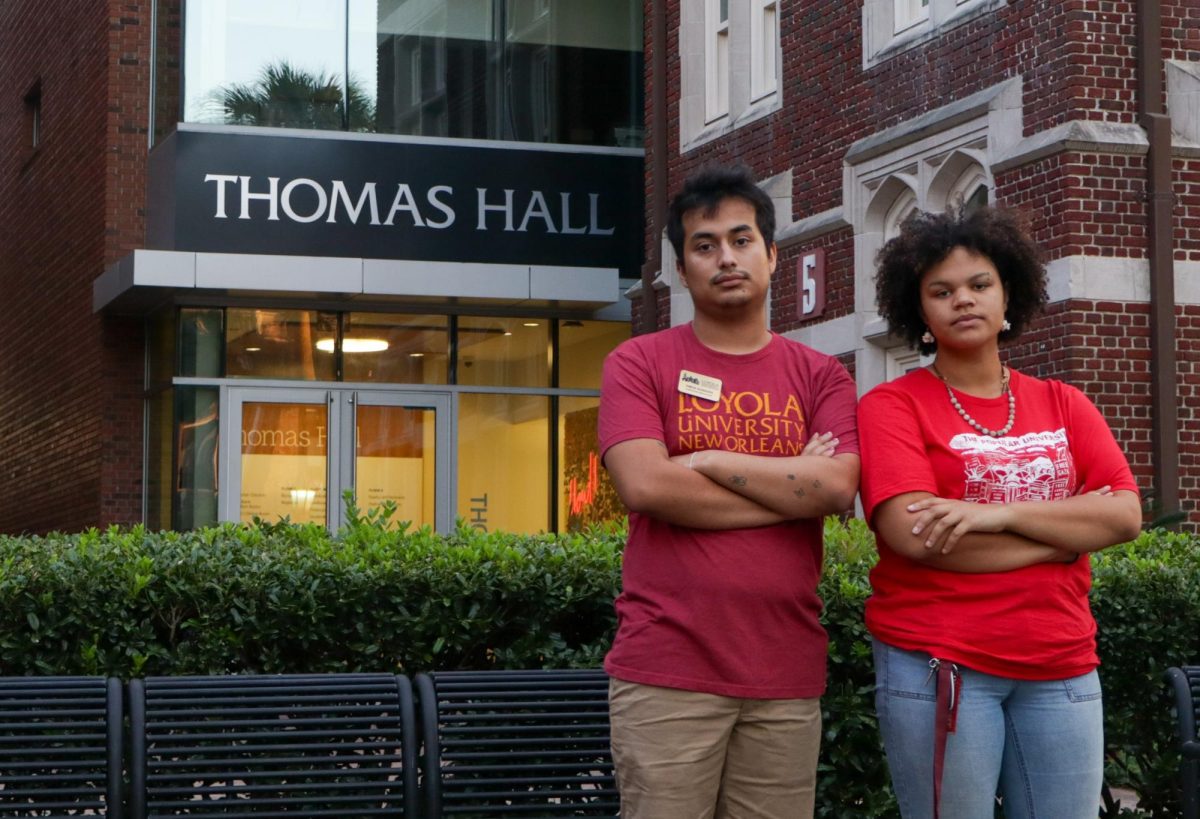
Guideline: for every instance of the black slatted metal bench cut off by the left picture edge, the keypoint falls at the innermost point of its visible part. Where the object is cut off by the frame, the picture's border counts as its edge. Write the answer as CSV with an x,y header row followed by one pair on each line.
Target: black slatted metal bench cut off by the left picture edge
x,y
61,748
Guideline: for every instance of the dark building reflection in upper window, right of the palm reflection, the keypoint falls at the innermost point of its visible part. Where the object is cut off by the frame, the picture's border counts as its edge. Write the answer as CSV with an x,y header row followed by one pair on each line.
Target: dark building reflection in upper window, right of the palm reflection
x,y
521,70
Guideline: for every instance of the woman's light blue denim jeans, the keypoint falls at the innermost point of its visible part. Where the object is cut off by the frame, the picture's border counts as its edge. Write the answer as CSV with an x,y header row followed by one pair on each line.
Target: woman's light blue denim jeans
x,y
1039,744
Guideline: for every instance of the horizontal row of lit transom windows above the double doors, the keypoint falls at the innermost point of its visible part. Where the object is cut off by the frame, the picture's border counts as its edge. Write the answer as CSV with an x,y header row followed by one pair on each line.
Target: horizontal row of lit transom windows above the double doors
x,y
413,349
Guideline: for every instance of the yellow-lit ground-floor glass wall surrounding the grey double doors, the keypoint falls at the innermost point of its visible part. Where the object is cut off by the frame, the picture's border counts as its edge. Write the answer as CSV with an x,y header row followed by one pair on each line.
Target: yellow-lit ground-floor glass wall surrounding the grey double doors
x,y
527,398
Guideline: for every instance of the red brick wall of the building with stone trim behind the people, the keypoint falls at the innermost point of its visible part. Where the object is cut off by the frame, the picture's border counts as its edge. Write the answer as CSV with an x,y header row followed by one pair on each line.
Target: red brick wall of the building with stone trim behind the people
x,y
1078,65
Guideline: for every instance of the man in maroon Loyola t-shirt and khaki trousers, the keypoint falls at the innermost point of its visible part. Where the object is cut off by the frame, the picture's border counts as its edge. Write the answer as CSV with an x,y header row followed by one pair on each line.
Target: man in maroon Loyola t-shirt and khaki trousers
x,y
729,445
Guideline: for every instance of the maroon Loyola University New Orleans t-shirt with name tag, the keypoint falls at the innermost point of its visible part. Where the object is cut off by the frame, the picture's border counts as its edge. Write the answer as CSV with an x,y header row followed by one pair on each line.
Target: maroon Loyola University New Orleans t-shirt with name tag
x,y
731,613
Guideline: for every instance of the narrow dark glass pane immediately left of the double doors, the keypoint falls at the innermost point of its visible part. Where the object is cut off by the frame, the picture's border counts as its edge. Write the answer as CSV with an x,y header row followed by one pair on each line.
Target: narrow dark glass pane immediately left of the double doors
x,y
196,458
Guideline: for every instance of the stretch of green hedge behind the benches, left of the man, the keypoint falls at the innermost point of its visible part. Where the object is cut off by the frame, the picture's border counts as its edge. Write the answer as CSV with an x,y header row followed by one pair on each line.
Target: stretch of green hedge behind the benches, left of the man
x,y
290,599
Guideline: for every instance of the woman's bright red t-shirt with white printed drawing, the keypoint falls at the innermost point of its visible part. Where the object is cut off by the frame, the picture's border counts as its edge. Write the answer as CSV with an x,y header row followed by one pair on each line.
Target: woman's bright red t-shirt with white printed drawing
x,y
1033,624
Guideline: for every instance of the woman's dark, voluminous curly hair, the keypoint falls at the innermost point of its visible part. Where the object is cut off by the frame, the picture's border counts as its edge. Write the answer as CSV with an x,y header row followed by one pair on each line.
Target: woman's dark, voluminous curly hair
x,y
927,240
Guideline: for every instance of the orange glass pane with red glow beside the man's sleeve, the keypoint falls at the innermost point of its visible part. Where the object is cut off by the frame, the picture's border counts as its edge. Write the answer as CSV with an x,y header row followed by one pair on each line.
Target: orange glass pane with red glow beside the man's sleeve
x,y
586,495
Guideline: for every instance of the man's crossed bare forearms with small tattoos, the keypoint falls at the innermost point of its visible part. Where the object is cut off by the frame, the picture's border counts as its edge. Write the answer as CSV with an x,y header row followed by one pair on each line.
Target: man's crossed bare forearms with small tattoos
x,y
719,491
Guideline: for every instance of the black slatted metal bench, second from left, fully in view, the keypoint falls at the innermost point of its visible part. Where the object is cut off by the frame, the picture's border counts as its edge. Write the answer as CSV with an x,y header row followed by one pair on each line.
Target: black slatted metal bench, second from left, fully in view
x,y
323,745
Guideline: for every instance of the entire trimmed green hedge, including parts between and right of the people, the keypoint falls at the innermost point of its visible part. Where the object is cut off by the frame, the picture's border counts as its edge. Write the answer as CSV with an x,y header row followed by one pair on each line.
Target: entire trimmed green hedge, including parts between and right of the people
x,y
280,599
